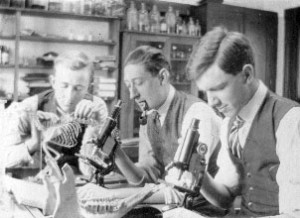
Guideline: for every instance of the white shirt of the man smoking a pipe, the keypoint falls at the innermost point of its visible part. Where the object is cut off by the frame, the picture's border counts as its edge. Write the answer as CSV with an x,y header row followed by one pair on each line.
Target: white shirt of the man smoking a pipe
x,y
208,129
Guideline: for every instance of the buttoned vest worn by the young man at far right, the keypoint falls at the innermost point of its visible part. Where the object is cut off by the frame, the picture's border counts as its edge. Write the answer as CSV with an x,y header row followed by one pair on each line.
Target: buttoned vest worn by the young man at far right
x,y
260,193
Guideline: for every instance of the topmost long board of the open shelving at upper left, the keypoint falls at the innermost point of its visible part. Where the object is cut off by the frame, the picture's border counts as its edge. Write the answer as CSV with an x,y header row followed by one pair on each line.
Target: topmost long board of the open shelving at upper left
x,y
56,14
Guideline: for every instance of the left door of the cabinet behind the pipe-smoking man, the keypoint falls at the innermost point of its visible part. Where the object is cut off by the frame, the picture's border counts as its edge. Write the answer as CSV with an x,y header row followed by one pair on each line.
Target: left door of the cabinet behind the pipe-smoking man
x,y
131,112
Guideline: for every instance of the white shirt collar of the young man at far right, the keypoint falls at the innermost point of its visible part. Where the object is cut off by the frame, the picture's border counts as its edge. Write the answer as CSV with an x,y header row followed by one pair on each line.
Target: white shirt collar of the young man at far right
x,y
249,111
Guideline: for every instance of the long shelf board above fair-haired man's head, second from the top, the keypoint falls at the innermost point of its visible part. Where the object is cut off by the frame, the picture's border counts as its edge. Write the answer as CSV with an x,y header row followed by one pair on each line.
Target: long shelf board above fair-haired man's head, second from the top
x,y
65,40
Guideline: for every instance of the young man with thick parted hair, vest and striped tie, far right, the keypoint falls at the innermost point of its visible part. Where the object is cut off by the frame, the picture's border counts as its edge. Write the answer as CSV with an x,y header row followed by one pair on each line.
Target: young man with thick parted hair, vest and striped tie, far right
x,y
259,158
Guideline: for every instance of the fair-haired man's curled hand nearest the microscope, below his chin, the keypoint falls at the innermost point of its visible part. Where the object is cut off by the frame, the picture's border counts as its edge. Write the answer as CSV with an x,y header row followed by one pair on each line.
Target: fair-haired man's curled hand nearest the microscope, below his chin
x,y
85,109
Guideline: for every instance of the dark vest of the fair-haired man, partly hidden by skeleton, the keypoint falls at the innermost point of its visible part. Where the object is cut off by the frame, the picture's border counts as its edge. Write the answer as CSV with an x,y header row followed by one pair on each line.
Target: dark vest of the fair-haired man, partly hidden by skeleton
x,y
46,102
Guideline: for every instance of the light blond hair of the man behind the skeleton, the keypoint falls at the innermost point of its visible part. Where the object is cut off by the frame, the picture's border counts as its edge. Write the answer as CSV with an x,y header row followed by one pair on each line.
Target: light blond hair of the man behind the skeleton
x,y
74,60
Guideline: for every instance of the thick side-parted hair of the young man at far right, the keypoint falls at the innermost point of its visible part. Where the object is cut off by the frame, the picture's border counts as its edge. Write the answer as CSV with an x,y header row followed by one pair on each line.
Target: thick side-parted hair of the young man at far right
x,y
229,50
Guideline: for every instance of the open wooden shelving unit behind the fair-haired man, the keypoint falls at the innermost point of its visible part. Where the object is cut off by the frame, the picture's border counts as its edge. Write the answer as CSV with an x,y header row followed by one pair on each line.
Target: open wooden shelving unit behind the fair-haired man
x,y
36,32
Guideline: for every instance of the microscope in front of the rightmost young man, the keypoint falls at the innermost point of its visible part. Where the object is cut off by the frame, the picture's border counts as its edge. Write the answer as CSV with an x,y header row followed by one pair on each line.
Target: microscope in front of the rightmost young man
x,y
182,161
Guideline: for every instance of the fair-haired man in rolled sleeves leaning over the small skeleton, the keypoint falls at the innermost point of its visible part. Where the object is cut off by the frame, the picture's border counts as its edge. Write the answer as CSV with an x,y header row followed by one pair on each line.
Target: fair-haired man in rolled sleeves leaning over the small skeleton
x,y
68,98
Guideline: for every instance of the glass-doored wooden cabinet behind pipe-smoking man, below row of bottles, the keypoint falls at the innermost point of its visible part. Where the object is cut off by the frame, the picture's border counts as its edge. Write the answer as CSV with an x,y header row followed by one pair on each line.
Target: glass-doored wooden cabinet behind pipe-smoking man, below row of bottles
x,y
177,48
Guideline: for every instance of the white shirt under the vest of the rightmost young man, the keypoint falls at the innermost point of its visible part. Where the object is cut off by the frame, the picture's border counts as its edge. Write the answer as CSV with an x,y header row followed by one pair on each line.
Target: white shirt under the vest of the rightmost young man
x,y
287,149
